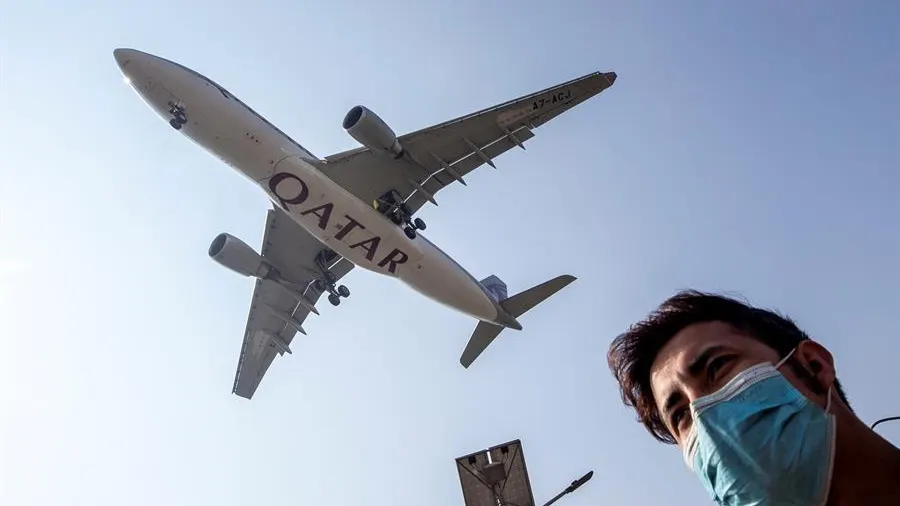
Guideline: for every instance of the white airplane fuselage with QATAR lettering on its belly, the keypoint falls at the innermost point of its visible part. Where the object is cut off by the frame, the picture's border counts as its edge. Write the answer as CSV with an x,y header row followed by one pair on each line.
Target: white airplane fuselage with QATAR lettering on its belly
x,y
234,133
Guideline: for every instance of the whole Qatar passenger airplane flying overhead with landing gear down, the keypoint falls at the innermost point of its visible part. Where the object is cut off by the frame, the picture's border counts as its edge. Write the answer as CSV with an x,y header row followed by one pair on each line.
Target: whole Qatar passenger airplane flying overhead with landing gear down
x,y
354,208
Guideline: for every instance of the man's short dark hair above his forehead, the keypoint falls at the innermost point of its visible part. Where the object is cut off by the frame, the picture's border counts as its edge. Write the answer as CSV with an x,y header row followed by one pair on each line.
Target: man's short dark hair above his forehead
x,y
632,353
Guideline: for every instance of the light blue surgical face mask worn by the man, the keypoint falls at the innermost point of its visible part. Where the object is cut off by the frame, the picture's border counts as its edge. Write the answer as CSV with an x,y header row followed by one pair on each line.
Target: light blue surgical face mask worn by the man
x,y
759,441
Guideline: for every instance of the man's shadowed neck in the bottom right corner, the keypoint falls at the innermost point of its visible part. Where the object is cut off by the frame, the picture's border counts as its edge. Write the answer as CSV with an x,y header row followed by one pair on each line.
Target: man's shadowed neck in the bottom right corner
x,y
866,468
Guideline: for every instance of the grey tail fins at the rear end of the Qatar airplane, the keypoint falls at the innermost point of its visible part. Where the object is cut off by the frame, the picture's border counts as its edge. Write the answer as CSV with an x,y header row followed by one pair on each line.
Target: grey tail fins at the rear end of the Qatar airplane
x,y
515,306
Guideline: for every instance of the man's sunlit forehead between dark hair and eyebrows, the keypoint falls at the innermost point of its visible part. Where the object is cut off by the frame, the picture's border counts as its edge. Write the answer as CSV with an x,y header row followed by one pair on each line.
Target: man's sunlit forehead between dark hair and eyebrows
x,y
673,359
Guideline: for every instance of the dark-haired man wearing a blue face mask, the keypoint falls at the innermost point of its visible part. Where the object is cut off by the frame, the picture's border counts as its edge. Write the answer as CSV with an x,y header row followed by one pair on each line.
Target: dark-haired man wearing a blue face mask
x,y
754,405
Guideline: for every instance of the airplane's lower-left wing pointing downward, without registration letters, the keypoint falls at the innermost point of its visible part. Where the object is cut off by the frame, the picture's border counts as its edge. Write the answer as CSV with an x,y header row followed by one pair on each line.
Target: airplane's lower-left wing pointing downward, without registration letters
x,y
275,313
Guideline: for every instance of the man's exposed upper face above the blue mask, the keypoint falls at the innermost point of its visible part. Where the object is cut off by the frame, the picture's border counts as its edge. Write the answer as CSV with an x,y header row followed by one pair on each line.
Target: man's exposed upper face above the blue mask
x,y
699,360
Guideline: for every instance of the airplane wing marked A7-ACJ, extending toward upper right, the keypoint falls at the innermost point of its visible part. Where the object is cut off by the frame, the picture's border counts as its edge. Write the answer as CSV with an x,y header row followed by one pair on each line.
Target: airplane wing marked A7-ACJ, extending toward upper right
x,y
442,154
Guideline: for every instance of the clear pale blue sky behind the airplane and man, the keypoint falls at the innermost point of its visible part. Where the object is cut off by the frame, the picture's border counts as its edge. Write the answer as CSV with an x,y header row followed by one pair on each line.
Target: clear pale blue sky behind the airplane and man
x,y
746,148
